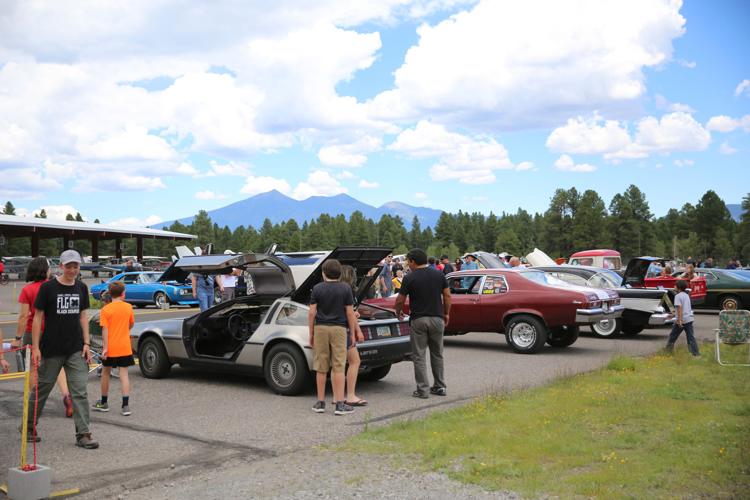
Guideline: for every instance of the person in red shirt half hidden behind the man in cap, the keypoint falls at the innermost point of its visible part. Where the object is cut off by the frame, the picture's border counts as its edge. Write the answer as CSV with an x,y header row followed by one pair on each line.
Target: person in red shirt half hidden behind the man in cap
x,y
37,273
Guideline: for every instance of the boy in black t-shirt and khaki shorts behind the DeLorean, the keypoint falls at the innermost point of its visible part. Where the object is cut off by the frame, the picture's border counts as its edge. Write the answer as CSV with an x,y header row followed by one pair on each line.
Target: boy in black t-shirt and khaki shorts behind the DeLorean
x,y
331,310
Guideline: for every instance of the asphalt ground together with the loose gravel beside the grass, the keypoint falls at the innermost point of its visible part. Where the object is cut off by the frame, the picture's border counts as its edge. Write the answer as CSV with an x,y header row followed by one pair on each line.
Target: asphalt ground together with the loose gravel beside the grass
x,y
203,435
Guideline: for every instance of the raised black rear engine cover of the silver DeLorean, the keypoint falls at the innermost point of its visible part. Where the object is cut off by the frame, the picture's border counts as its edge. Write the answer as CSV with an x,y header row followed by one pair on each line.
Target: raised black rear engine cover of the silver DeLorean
x,y
362,259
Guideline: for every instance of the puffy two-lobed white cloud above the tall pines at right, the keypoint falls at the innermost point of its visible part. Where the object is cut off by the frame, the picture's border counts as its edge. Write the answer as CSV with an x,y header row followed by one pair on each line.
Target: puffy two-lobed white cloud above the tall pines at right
x,y
673,132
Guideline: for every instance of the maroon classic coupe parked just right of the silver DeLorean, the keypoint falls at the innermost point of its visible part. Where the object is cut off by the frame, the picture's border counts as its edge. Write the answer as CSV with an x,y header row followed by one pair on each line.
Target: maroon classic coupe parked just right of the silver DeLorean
x,y
529,307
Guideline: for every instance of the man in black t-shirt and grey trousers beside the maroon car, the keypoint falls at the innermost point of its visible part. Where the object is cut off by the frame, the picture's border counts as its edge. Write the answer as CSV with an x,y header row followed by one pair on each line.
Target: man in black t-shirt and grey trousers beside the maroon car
x,y
429,306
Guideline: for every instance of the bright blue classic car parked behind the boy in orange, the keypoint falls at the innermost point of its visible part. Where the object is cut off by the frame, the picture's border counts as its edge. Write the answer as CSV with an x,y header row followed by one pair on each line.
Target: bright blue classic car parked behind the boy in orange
x,y
143,288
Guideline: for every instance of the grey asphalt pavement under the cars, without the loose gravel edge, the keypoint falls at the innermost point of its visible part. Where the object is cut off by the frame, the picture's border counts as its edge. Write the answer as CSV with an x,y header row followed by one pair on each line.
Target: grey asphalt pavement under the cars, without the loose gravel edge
x,y
196,424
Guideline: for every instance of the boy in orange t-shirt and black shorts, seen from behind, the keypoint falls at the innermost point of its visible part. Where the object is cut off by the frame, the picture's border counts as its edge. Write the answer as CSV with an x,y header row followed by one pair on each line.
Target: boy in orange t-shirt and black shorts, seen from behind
x,y
116,320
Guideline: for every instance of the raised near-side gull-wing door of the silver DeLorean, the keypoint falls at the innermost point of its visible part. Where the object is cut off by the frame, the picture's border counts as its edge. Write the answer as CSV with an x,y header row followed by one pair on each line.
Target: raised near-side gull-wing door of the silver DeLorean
x,y
270,275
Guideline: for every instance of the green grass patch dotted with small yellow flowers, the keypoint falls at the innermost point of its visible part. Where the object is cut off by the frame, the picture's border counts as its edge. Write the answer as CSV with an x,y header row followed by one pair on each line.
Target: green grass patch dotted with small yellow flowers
x,y
658,427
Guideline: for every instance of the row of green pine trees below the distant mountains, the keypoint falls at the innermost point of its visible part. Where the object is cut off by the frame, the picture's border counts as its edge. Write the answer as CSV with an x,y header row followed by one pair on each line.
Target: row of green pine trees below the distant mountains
x,y
573,221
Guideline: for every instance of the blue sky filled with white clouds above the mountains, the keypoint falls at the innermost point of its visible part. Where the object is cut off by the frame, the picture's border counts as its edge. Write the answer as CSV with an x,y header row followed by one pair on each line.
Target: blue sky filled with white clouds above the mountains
x,y
150,110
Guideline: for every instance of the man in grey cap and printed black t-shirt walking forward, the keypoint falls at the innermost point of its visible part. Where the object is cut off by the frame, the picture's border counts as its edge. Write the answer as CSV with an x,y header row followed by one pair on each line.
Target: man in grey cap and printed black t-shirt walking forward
x,y
60,340
